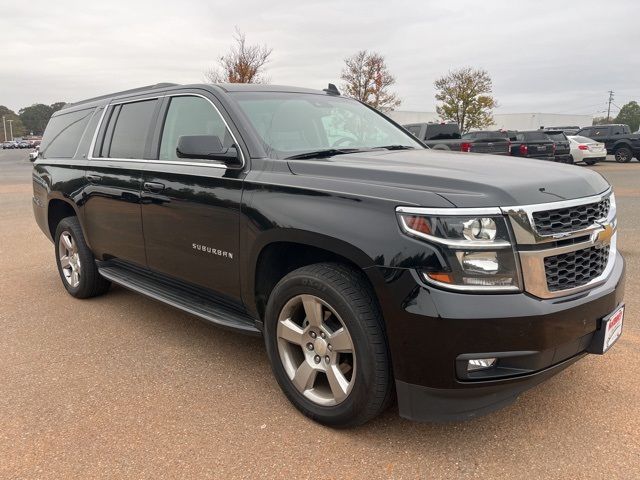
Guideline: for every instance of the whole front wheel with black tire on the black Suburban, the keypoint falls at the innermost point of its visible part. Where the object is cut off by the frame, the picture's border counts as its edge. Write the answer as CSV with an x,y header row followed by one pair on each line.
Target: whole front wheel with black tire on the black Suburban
x,y
347,305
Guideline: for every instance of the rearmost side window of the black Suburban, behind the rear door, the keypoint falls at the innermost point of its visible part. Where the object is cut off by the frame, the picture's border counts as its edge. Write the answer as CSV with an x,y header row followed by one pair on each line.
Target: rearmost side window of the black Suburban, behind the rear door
x,y
63,133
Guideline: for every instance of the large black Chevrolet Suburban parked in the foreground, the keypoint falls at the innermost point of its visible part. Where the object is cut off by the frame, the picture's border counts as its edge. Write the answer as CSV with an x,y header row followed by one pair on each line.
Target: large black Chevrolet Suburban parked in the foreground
x,y
373,267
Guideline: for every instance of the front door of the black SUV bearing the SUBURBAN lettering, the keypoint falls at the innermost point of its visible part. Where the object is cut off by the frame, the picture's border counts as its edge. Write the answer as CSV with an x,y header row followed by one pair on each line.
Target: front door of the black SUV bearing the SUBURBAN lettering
x,y
191,207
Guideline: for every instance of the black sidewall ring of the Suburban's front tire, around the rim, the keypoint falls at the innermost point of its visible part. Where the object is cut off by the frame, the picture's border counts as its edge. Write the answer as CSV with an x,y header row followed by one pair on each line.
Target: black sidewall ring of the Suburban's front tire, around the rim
x,y
299,284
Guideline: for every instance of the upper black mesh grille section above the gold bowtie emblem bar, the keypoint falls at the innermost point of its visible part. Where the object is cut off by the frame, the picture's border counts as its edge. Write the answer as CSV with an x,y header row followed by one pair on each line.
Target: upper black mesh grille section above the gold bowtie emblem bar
x,y
570,219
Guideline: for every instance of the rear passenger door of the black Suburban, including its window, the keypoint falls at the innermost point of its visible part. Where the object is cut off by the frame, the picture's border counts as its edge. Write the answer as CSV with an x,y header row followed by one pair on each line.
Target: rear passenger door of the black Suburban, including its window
x,y
114,176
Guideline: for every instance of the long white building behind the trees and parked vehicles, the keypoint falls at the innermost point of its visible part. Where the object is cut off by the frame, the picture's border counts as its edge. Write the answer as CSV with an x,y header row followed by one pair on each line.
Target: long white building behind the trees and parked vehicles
x,y
507,121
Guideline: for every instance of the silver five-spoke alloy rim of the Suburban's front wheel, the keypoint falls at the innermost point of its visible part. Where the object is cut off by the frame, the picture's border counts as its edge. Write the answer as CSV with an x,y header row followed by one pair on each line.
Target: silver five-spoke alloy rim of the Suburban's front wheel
x,y
316,350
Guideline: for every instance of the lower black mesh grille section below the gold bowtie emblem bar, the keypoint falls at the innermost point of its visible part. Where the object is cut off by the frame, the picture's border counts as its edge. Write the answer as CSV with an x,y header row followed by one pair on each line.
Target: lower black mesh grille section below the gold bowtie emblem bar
x,y
575,269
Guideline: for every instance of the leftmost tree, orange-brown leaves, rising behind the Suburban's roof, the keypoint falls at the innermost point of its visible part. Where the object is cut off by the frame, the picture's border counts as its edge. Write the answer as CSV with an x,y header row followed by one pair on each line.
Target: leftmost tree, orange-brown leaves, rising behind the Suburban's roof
x,y
242,64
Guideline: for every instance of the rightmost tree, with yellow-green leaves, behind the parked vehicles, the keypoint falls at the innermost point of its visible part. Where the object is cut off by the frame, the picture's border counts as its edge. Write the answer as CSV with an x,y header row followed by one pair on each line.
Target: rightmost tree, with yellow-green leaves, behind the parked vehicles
x,y
466,98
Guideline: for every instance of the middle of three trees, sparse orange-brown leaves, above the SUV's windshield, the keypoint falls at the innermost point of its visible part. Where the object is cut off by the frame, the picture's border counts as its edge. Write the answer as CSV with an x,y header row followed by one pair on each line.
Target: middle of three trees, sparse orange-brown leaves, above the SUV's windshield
x,y
368,79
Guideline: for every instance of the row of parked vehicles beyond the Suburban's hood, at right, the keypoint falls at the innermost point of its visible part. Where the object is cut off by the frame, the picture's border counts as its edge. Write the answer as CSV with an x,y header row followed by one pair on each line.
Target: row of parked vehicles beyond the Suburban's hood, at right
x,y
592,144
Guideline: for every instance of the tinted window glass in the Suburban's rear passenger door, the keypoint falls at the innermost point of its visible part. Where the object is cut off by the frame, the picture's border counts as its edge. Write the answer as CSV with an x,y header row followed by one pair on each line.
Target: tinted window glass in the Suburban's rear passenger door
x,y
129,132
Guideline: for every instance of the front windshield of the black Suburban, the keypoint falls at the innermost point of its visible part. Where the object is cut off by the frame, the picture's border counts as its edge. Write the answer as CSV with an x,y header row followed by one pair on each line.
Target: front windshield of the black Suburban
x,y
296,123
